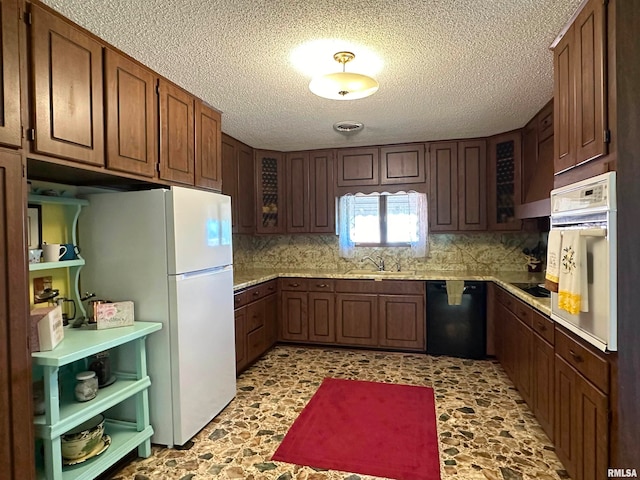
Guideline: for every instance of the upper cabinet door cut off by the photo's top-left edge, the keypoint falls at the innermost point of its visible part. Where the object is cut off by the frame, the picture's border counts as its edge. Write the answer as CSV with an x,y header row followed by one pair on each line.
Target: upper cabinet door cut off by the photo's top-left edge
x,y
10,124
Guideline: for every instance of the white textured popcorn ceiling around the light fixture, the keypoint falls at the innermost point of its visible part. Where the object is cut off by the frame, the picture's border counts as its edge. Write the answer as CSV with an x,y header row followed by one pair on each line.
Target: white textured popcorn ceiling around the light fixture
x,y
450,68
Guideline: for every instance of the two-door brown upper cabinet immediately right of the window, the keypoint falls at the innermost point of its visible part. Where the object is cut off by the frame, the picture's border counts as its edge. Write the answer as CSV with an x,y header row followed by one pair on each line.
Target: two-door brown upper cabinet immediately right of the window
x,y
457,197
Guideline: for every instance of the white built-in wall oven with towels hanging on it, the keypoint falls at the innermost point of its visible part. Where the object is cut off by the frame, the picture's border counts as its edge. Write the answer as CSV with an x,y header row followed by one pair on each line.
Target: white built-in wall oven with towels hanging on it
x,y
590,207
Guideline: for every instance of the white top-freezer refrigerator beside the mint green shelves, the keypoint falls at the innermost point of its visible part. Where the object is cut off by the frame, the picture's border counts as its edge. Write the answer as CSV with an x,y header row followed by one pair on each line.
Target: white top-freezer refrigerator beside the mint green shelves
x,y
170,252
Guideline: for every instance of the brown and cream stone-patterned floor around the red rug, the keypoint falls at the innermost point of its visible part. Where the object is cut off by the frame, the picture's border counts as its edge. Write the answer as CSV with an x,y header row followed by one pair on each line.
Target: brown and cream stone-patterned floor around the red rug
x,y
486,430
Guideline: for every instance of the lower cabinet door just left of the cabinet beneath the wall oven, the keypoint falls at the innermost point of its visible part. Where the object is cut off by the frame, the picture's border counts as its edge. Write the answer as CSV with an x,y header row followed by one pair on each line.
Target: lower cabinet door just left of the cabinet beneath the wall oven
x,y
542,383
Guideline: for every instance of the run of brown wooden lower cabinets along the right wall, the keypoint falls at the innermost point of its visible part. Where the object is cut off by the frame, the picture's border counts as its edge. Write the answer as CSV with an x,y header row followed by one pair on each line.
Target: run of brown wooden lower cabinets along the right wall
x,y
565,382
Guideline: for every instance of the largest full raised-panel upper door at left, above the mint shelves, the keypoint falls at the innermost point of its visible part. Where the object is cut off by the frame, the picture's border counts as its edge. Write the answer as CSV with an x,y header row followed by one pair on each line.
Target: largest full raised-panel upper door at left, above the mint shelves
x,y
67,89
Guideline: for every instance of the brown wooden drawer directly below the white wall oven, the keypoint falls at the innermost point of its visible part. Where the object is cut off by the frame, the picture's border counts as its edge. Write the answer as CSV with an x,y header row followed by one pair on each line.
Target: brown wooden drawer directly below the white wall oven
x,y
591,365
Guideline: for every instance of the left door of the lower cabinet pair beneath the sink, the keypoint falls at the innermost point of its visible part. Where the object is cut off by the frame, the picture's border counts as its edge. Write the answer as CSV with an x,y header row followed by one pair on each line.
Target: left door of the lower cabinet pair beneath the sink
x,y
357,319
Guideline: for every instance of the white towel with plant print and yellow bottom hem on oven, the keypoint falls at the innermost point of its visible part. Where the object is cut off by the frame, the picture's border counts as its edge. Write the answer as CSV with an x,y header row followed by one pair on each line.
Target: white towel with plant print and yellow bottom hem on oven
x,y
572,284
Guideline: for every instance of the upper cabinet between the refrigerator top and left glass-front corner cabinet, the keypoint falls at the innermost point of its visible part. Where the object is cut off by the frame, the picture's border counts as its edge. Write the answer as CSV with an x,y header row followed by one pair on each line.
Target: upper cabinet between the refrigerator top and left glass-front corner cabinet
x,y
238,176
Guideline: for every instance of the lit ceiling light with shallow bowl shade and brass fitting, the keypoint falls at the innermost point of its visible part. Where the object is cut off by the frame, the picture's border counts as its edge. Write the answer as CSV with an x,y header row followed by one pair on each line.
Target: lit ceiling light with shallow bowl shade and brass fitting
x,y
343,85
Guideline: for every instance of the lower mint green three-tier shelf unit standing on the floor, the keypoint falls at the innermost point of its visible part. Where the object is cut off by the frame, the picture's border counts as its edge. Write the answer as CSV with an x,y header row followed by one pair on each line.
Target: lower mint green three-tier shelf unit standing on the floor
x,y
62,413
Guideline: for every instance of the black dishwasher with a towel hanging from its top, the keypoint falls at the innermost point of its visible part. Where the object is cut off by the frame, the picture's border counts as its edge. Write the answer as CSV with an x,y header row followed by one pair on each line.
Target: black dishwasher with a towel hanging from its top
x,y
457,330
